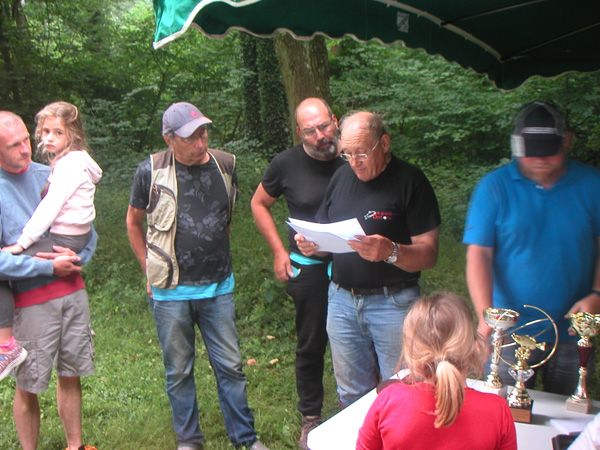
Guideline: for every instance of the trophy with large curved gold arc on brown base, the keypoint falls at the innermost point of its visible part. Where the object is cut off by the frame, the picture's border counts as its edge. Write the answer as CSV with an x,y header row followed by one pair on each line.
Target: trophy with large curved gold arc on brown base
x,y
519,400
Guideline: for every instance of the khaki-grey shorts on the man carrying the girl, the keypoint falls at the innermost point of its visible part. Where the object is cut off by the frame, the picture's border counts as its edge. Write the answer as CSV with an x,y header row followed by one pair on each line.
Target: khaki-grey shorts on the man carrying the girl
x,y
55,333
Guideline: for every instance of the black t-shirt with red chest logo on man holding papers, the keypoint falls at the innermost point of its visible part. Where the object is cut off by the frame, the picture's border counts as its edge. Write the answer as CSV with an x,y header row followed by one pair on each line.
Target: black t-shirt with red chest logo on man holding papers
x,y
398,203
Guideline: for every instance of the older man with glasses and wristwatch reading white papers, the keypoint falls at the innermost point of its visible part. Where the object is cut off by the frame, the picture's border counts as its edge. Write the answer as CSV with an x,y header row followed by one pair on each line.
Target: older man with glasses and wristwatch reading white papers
x,y
373,287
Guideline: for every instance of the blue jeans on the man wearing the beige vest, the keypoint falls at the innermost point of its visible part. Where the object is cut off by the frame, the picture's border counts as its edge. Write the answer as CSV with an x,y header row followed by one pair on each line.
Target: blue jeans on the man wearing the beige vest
x,y
215,318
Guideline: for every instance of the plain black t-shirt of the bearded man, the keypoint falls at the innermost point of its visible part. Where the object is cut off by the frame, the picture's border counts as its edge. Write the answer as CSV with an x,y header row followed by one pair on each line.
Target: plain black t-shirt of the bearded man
x,y
302,181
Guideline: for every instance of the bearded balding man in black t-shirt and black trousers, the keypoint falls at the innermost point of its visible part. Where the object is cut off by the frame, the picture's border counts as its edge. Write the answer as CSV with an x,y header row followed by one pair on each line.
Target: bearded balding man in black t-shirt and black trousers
x,y
301,175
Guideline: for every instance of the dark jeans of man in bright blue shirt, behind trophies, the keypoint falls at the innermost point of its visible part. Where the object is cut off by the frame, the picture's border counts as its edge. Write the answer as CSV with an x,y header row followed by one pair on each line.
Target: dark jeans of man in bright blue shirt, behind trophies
x,y
559,375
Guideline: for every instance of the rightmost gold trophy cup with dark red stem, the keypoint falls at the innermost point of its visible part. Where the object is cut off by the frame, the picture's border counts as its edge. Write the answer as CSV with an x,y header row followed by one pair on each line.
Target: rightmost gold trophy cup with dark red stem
x,y
587,327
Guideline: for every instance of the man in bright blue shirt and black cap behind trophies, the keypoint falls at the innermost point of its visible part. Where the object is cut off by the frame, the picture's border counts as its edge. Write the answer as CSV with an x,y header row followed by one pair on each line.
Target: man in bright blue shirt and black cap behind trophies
x,y
532,231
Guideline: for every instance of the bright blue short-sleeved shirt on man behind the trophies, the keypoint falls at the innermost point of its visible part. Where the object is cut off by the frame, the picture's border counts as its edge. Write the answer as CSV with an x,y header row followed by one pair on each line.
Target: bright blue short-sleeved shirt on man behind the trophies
x,y
544,240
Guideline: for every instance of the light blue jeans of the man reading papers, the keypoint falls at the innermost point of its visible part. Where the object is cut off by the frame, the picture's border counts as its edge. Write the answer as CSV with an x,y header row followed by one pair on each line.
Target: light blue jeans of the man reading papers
x,y
365,335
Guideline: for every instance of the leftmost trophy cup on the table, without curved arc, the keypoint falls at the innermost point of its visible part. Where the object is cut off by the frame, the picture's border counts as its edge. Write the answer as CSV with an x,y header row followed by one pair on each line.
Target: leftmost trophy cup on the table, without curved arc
x,y
500,320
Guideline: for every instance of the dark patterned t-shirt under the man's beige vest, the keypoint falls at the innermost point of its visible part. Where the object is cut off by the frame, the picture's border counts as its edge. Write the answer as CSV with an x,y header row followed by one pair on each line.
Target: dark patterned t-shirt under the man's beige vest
x,y
202,240
